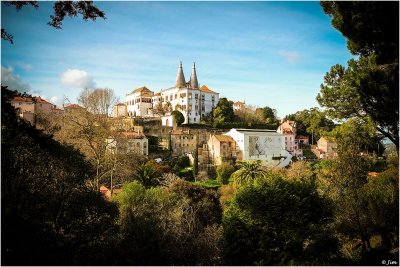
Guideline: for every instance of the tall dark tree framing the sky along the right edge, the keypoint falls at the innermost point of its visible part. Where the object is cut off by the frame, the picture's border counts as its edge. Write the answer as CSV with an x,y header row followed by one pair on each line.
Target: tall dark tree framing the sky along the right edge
x,y
369,86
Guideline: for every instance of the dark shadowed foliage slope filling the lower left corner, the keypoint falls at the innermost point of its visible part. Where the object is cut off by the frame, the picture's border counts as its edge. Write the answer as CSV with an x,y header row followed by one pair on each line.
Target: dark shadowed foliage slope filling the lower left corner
x,y
49,214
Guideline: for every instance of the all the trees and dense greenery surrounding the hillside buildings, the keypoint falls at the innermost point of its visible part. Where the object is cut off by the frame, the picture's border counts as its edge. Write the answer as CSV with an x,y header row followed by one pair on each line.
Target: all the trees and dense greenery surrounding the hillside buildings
x,y
329,212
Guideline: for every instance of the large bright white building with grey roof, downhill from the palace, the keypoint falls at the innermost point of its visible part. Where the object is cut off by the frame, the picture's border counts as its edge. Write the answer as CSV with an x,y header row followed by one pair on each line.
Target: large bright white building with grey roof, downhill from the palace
x,y
265,145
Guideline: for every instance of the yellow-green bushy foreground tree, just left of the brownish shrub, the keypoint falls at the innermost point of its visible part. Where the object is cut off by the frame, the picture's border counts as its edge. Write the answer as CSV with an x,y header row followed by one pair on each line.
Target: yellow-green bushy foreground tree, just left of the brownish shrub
x,y
145,215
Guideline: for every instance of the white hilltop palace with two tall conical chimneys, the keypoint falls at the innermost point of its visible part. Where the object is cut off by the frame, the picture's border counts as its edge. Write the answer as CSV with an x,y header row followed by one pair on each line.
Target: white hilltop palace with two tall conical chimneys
x,y
192,101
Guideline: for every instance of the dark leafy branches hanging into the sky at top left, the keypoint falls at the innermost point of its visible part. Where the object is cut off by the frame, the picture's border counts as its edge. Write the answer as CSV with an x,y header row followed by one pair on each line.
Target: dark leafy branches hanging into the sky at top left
x,y
61,10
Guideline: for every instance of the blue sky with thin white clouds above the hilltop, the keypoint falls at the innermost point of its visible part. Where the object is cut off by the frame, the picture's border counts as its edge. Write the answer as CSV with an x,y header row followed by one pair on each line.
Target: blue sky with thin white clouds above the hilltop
x,y
266,53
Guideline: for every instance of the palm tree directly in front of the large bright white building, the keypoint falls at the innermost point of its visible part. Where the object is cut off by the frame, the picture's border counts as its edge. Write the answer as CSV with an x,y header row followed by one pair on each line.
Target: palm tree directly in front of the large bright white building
x,y
249,170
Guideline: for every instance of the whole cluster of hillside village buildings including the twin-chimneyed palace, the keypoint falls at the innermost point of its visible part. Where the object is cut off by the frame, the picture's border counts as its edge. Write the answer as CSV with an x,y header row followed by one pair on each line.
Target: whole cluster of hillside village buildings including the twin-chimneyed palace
x,y
275,148
